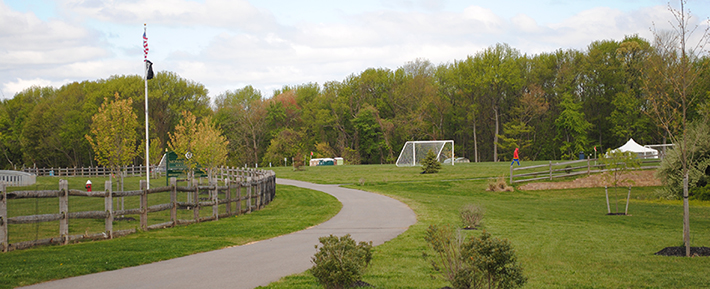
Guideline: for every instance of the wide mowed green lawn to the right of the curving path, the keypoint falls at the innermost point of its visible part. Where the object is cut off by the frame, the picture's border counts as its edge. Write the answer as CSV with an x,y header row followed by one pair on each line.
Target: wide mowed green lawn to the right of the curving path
x,y
563,238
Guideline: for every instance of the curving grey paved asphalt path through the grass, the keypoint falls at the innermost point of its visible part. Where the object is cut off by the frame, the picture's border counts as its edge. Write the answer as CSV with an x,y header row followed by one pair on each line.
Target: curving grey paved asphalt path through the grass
x,y
365,216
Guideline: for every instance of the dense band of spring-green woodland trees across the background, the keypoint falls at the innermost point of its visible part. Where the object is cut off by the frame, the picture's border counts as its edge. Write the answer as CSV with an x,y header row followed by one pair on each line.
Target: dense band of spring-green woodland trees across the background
x,y
551,105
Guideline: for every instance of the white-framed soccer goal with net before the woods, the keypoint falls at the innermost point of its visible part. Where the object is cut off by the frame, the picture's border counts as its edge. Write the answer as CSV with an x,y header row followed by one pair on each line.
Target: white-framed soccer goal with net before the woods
x,y
414,152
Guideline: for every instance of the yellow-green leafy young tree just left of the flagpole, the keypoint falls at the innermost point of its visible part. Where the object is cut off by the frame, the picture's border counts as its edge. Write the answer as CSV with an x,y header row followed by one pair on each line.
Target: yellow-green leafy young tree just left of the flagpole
x,y
114,134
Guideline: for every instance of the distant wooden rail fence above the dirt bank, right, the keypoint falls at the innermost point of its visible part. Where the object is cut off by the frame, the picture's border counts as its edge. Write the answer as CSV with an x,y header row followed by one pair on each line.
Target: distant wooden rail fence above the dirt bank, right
x,y
567,169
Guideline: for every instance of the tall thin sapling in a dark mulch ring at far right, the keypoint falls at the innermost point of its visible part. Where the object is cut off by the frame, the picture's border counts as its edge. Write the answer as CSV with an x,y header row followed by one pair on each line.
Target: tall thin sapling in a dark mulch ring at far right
x,y
674,69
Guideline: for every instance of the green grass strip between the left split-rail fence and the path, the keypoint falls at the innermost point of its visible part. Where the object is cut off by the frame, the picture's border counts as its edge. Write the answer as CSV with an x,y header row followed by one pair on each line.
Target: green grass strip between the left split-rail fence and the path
x,y
292,210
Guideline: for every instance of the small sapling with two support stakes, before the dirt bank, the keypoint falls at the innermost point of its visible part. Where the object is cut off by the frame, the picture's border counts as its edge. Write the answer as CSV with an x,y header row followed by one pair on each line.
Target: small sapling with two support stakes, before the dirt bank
x,y
619,164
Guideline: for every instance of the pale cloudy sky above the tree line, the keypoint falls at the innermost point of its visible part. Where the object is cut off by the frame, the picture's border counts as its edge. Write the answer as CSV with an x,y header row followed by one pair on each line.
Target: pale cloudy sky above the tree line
x,y
229,44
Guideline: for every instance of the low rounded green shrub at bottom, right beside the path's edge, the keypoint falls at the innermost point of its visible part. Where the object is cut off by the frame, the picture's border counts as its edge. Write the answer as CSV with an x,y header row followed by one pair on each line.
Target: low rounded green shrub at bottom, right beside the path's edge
x,y
340,262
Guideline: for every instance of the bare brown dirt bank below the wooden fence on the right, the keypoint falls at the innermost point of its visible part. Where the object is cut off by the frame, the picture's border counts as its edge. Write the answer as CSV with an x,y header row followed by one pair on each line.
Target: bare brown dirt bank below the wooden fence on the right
x,y
640,178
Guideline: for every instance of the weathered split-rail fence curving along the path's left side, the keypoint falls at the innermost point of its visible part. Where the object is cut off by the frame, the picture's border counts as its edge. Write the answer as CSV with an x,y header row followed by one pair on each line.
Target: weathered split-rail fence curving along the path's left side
x,y
254,188
